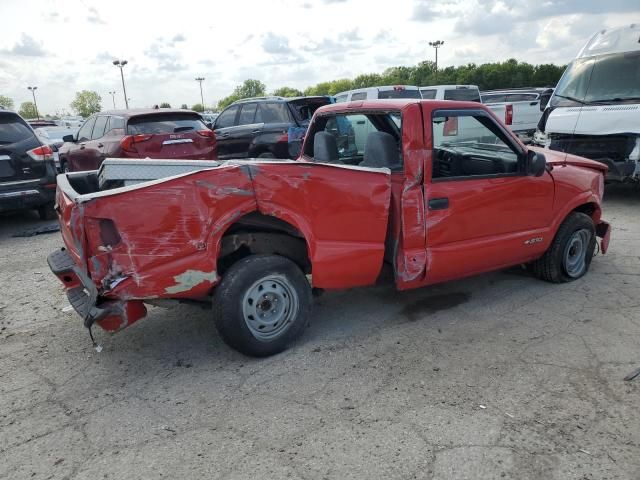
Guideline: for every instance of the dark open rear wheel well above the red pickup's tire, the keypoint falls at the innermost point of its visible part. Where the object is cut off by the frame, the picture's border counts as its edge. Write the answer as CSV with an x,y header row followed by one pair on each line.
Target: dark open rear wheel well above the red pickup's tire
x,y
256,233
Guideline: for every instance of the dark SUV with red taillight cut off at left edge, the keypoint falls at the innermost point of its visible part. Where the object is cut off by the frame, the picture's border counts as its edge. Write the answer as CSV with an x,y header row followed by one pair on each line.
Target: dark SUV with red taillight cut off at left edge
x,y
27,168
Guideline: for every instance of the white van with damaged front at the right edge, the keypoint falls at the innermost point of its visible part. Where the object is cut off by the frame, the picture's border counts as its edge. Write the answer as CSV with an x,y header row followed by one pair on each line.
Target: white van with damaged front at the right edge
x,y
594,111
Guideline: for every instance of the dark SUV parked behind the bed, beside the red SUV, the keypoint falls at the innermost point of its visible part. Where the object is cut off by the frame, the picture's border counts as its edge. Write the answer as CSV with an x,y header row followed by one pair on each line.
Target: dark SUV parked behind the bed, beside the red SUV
x,y
263,127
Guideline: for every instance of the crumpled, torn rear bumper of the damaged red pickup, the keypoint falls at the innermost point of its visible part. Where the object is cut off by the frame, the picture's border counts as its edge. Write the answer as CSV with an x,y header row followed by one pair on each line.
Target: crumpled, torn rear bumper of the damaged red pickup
x,y
111,315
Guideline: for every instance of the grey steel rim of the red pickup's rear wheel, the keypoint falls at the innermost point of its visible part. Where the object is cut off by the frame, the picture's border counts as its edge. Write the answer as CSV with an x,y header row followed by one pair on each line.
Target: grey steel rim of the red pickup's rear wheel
x,y
269,307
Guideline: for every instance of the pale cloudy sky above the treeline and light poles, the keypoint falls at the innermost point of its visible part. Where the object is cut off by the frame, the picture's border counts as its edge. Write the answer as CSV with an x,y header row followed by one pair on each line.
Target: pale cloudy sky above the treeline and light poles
x,y
64,46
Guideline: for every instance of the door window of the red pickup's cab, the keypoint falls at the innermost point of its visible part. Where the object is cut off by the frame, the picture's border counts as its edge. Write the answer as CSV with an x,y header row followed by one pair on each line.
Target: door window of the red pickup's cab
x,y
468,146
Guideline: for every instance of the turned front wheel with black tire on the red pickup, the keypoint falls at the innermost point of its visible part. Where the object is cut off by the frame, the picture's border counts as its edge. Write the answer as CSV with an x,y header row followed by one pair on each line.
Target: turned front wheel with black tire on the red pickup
x,y
555,265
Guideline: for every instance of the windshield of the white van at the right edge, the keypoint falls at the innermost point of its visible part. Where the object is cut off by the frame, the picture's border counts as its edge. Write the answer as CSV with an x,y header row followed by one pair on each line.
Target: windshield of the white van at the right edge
x,y
605,79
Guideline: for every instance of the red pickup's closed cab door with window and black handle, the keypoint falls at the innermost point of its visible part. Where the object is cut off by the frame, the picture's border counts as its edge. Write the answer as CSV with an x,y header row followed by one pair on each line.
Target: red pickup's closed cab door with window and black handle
x,y
483,212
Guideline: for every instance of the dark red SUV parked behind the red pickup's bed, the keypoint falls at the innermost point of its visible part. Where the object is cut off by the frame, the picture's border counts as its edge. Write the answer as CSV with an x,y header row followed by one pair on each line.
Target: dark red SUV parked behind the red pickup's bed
x,y
143,133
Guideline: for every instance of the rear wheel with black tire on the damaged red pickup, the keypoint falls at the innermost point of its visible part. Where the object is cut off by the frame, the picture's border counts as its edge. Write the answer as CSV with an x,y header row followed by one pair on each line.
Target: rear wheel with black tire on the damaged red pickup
x,y
233,304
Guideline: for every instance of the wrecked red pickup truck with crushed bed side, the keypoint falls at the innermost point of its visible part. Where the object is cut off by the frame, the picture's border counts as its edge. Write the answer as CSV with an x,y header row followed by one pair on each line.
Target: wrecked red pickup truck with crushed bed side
x,y
436,190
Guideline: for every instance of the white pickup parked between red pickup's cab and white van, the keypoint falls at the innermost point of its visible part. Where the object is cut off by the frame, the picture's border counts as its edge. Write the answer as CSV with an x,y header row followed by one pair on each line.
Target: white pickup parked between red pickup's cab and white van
x,y
526,104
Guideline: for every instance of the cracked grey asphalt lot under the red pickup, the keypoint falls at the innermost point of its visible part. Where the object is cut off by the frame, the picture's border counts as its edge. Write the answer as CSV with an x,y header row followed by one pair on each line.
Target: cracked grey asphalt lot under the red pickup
x,y
496,376
